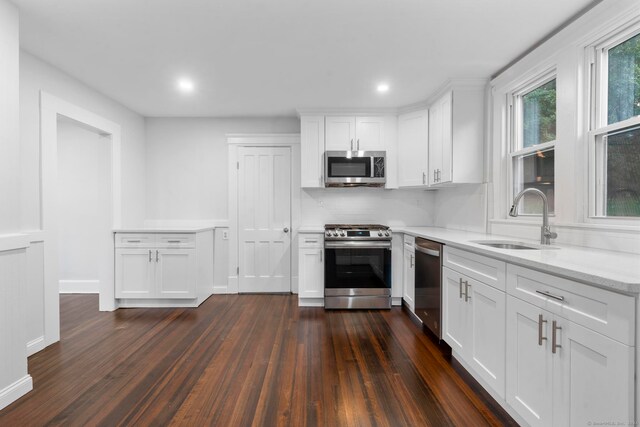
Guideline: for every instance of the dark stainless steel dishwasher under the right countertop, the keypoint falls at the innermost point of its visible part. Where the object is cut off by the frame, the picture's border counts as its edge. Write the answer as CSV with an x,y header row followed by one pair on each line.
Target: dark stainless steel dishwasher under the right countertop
x,y
428,297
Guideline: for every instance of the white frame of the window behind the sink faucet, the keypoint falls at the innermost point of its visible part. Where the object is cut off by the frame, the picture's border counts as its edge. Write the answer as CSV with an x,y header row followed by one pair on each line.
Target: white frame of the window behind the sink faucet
x,y
515,131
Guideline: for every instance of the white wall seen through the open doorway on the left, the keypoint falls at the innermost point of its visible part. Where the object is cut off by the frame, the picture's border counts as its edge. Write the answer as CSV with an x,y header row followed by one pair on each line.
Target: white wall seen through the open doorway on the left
x,y
84,206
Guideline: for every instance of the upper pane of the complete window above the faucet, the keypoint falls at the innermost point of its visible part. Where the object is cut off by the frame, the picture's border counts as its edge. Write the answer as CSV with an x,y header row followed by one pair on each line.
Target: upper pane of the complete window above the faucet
x,y
539,115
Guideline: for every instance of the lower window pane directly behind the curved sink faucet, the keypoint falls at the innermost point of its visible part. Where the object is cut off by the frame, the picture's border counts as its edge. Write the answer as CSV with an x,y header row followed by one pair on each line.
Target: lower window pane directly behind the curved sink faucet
x,y
535,170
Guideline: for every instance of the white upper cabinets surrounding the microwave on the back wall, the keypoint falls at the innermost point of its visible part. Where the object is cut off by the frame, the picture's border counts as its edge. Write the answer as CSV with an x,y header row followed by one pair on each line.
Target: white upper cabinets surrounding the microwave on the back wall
x,y
321,133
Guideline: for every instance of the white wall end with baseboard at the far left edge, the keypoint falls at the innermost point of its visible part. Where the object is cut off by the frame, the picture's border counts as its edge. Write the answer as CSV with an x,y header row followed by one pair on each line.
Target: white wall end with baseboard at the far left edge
x,y
14,379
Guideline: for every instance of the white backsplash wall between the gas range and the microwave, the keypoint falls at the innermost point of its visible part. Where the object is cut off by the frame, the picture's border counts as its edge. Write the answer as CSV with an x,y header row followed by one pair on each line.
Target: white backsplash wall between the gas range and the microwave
x,y
366,205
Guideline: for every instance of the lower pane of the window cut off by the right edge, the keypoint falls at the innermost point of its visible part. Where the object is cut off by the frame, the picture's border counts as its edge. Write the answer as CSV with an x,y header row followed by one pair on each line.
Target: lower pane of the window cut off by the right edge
x,y
623,173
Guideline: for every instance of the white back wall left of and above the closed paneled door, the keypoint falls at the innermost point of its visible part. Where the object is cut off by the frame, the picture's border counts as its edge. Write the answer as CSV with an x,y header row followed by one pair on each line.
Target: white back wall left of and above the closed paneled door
x,y
187,175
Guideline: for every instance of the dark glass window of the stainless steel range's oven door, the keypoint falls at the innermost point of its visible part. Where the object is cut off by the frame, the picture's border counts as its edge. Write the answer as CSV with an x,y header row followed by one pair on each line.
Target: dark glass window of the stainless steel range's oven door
x,y
357,268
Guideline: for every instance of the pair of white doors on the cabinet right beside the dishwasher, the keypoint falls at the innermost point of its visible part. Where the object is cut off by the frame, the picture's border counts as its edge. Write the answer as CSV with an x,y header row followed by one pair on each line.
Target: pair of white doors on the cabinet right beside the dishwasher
x,y
474,327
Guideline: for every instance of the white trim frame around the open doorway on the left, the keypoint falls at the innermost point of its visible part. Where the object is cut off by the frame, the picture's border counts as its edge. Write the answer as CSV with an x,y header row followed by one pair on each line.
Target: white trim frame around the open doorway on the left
x,y
50,108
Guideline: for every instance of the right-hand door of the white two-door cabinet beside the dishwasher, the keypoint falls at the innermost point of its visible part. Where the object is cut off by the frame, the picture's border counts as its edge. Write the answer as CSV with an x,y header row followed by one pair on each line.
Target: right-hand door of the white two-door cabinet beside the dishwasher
x,y
487,310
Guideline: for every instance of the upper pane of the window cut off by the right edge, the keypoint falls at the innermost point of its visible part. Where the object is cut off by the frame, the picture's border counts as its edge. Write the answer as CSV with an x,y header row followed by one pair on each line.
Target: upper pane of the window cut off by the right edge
x,y
624,80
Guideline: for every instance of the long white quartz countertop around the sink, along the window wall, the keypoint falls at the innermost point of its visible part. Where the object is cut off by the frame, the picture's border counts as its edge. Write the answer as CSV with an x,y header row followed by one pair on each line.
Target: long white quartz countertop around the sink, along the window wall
x,y
606,269
